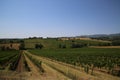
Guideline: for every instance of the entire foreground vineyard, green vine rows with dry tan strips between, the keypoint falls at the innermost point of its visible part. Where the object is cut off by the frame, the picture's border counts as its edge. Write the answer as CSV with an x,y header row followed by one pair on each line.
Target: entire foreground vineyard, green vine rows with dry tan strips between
x,y
58,64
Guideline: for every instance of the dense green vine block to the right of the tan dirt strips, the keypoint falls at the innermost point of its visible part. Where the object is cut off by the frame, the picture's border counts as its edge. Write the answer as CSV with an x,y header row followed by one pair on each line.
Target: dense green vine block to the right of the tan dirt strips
x,y
90,59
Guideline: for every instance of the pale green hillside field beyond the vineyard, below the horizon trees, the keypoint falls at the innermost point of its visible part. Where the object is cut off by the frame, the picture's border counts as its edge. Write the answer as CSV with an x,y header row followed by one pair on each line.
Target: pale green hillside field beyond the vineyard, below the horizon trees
x,y
54,43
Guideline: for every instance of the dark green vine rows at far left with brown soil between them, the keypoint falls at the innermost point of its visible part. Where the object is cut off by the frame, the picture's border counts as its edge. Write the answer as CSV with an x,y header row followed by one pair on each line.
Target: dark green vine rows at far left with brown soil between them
x,y
12,63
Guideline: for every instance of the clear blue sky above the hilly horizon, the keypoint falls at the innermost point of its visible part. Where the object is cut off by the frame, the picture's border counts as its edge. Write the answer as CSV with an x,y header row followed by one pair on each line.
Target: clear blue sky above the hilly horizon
x,y
57,18
